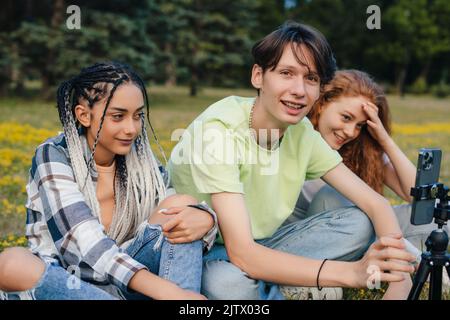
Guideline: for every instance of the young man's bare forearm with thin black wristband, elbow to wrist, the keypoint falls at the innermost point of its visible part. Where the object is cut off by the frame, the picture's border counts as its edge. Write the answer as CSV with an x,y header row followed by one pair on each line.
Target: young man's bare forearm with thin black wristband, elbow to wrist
x,y
275,266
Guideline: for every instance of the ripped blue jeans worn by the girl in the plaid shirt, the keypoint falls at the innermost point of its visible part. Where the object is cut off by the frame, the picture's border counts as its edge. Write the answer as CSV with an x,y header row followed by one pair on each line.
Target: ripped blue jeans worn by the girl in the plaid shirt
x,y
179,263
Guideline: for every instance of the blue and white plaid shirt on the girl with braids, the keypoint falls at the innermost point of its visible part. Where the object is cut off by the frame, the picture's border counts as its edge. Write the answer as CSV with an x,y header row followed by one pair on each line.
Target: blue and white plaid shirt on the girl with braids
x,y
61,227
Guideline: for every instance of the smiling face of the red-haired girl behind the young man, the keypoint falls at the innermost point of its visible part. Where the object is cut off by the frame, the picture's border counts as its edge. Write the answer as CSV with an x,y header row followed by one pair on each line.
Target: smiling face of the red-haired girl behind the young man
x,y
341,120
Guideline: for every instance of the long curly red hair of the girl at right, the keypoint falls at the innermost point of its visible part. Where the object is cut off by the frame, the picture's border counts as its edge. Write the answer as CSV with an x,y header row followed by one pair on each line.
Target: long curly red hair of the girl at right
x,y
363,155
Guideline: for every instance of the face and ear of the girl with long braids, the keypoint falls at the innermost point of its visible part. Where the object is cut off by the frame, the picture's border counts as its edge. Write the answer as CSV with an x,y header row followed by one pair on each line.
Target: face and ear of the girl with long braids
x,y
121,126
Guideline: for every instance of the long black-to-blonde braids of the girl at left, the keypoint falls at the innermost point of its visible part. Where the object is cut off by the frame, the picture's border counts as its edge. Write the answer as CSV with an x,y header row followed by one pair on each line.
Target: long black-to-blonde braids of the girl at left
x,y
139,184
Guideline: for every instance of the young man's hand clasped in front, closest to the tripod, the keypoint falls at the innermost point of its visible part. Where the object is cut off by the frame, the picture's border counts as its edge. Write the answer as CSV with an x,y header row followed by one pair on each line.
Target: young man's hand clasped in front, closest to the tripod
x,y
385,261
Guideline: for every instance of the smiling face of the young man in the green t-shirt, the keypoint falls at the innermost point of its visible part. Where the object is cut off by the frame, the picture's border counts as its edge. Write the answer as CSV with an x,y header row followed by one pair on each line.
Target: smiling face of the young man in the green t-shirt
x,y
288,92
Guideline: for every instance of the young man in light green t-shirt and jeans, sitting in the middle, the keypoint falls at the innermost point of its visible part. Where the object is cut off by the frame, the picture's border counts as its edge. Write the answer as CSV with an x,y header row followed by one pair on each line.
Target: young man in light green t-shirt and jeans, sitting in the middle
x,y
249,157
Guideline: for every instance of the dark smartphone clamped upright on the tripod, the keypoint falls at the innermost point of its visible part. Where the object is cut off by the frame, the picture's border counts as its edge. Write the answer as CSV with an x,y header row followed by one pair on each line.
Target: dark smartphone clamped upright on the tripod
x,y
428,168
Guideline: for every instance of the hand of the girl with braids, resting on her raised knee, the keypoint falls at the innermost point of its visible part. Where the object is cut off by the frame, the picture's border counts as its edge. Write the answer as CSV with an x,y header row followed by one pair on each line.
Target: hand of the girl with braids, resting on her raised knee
x,y
188,225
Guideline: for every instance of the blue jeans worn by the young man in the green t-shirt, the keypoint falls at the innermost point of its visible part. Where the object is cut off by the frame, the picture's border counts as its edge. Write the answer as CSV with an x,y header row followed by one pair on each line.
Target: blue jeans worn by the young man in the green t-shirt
x,y
342,234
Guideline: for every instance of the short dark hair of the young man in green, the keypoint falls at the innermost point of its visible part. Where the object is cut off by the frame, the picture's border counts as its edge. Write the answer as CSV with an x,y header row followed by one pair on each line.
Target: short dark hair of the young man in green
x,y
267,52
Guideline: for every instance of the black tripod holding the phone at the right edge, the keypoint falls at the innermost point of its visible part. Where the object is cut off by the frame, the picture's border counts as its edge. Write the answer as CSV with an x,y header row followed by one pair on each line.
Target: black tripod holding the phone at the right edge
x,y
436,256
